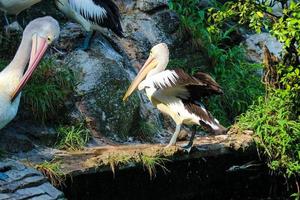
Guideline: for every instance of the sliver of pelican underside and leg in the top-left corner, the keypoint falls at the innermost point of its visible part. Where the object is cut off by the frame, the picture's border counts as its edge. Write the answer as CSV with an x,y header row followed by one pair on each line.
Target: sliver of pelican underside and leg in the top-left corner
x,y
15,7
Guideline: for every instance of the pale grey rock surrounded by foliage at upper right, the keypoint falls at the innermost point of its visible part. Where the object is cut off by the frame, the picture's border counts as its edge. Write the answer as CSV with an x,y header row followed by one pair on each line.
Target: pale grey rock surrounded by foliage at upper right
x,y
254,45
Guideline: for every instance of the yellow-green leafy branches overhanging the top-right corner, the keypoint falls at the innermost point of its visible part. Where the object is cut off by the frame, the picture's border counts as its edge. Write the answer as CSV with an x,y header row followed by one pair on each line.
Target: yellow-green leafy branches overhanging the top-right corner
x,y
285,28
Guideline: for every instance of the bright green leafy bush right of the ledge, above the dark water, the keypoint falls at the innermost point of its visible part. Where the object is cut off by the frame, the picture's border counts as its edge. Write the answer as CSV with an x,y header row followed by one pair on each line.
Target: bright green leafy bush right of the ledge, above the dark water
x,y
278,134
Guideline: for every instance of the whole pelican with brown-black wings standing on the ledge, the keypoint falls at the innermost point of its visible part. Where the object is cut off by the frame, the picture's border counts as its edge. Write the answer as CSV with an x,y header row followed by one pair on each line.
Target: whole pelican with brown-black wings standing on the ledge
x,y
176,93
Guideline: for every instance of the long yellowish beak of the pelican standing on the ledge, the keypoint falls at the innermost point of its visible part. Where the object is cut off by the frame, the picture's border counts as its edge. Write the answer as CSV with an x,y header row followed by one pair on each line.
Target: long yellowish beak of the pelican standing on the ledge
x,y
149,64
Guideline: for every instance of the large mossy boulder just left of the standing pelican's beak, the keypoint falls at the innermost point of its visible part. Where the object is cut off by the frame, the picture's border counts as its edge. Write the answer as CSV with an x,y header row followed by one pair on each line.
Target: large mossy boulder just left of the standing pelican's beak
x,y
104,81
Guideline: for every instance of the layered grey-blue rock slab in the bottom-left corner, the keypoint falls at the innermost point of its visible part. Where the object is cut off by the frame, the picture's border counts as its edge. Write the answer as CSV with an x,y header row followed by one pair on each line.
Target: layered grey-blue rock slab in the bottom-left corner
x,y
25,183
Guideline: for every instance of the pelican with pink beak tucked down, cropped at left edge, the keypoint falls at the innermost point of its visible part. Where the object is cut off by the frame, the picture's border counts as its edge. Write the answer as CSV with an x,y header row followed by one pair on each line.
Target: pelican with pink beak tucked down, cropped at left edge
x,y
37,36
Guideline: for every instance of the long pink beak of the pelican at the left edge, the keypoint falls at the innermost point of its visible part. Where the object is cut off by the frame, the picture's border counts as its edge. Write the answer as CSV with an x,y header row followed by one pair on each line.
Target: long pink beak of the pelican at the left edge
x,y
38,49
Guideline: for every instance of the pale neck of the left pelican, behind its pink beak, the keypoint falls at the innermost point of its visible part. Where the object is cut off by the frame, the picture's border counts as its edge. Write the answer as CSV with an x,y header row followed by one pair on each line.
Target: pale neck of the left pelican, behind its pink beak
x,y
18,64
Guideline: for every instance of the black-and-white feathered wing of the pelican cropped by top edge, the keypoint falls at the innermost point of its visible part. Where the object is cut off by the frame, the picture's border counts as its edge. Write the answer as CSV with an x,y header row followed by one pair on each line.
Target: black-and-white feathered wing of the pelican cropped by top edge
x,y
104,13
